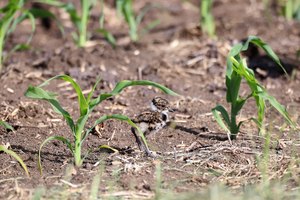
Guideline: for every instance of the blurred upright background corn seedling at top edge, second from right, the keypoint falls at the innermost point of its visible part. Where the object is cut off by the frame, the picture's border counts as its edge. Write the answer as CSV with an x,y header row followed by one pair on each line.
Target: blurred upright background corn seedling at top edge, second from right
x,y
207,19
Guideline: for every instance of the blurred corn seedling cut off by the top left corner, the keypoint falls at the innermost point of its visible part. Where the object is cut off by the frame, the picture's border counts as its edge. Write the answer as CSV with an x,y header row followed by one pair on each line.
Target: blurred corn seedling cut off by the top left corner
x,y
11,15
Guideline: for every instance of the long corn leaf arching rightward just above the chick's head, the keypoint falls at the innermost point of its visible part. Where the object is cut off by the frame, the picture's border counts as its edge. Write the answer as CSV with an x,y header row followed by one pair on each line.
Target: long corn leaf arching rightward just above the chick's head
x,y
126,83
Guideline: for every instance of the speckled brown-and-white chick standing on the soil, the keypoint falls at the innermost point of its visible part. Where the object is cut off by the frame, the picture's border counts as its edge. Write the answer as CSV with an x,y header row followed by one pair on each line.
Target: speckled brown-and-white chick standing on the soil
x,y
151,121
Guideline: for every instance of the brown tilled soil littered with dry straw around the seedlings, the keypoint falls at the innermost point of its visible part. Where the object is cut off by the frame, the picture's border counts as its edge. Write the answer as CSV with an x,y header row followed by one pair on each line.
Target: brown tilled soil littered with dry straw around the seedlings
x,y
193,154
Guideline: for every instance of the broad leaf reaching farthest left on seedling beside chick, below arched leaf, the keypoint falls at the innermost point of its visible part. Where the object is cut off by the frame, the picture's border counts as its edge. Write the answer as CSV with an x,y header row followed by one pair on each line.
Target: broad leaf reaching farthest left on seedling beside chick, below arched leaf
x,y
39,93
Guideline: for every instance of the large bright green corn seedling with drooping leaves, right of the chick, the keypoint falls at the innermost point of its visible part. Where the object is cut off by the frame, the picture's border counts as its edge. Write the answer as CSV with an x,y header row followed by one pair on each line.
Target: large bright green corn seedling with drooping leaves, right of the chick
x,y
236,71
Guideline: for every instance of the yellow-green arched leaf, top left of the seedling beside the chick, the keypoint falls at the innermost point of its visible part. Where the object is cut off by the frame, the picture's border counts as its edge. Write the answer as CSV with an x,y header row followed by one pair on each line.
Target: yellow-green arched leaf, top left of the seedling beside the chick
x,y
83,106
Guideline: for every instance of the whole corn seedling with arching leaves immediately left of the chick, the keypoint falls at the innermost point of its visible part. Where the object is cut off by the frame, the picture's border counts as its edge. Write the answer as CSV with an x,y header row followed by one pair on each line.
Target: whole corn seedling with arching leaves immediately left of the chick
x,y
86,106
